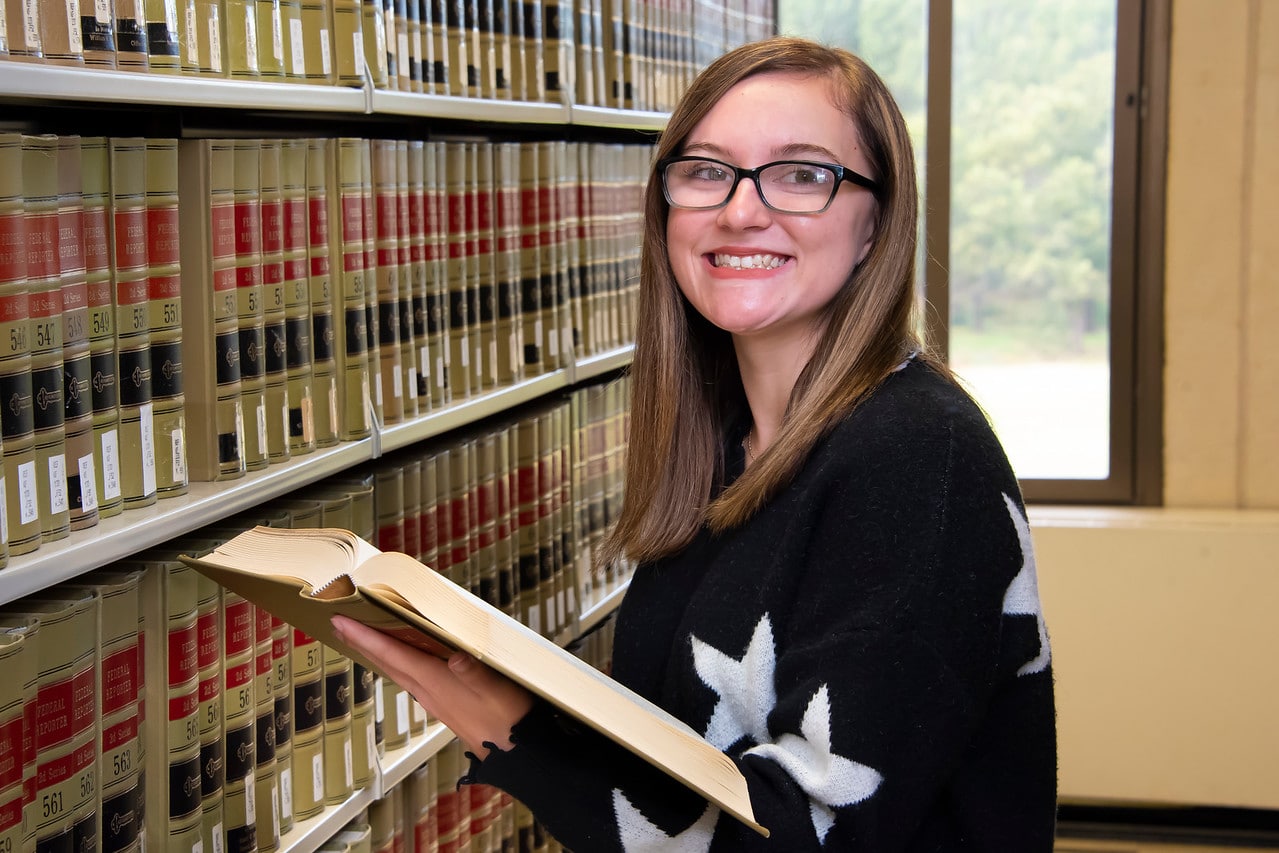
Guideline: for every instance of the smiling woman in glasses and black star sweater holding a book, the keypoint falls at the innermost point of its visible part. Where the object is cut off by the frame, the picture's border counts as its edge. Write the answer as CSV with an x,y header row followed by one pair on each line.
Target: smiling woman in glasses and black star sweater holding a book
x,y
836,577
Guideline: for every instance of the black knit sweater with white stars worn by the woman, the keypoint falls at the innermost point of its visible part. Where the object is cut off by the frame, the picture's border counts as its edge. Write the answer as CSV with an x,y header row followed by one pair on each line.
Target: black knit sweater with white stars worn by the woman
x,y
870,650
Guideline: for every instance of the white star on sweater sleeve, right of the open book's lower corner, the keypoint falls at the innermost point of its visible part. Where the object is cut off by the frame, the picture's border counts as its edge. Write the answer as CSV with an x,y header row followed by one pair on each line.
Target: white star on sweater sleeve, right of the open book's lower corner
x,y
828,779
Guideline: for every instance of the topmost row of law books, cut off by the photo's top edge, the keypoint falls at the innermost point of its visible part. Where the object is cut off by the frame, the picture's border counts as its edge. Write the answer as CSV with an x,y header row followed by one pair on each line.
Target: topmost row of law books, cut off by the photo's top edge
x,y
626,54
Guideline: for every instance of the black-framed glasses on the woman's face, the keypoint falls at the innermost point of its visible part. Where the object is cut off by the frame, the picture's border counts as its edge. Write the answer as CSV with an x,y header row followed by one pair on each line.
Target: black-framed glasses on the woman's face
x,y
785,186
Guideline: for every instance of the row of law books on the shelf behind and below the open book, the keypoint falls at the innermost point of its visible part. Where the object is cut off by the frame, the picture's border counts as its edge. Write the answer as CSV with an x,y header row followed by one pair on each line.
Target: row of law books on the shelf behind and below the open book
x,y
150,708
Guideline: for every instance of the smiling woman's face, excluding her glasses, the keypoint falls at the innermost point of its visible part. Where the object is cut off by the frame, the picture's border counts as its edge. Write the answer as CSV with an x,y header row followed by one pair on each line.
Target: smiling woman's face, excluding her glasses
x,y
754,272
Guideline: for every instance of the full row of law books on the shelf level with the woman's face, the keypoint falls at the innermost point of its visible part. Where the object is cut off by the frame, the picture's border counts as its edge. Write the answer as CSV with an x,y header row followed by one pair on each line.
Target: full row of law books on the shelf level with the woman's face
x,y
198,310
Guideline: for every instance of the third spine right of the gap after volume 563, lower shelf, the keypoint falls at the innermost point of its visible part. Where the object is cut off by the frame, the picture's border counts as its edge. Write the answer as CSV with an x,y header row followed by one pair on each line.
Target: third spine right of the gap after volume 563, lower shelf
x,y
240,739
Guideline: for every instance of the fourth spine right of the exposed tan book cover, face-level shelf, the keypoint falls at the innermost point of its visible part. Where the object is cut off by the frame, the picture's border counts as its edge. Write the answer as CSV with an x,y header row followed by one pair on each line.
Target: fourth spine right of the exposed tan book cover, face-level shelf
x,y
297,300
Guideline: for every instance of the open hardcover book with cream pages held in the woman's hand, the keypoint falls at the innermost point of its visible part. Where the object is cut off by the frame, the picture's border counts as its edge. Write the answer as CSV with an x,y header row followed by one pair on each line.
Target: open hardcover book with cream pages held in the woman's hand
x,y
308,576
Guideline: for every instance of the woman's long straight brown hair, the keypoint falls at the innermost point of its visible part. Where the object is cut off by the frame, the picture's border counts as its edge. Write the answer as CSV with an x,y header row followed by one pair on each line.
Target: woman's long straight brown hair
x,y
687,389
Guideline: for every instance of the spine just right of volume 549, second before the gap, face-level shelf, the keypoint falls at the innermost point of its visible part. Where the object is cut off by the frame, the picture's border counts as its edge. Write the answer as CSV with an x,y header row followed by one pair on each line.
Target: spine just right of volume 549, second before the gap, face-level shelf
x,y
132,325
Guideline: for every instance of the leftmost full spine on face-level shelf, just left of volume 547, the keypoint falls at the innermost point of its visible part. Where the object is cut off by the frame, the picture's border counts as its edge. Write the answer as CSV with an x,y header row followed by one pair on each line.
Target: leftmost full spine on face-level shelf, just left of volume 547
x,y
17,421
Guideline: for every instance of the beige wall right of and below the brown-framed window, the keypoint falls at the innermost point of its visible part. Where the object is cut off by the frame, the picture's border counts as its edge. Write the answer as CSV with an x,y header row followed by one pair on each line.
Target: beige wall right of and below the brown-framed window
x,y
1163,622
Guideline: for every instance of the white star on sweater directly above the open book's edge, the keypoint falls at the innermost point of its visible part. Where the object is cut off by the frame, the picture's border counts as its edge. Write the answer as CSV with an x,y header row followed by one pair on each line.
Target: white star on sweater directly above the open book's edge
x,y
745,687
